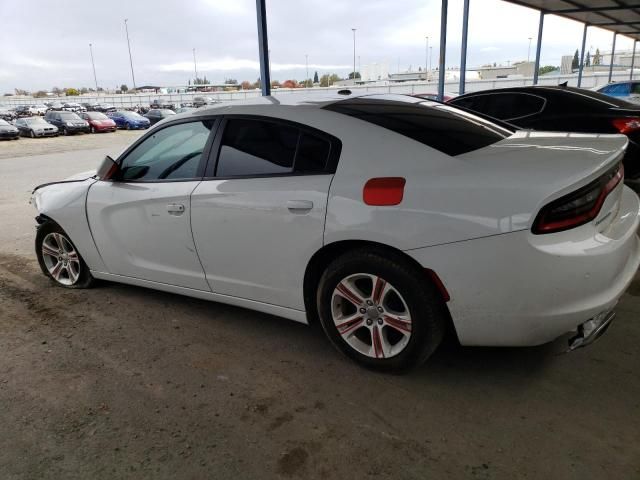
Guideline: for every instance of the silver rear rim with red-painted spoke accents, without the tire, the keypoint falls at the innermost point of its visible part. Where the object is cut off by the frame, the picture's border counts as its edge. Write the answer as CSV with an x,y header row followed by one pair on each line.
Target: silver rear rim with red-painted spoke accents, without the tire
x,y
371,316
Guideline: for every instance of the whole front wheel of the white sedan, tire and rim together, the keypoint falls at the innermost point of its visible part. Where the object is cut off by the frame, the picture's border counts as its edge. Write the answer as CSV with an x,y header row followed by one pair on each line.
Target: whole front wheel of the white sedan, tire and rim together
x,y
59,259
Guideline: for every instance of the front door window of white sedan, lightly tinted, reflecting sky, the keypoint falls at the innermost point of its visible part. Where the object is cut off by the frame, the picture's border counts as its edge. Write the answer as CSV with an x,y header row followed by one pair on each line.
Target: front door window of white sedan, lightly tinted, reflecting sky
x,y
172,153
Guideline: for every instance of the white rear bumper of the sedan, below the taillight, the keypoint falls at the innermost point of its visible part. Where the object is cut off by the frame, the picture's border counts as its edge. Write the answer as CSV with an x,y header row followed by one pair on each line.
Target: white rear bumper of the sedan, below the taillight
x,y
520,289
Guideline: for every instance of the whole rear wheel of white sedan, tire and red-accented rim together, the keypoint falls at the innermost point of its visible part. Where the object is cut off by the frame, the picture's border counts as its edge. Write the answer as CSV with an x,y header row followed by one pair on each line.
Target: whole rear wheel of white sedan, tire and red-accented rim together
x,y
380,310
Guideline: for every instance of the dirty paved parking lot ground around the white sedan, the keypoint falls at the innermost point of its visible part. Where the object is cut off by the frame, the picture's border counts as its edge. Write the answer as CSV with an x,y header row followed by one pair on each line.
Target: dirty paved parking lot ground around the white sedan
x,y
124,382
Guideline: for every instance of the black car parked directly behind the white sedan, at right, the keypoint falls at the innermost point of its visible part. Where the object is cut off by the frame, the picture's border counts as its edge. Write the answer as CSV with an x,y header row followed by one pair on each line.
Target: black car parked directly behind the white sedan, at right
x,y
559,109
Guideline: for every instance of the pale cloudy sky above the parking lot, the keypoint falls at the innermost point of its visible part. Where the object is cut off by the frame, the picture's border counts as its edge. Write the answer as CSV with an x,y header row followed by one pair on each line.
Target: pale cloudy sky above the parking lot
x,y
46,44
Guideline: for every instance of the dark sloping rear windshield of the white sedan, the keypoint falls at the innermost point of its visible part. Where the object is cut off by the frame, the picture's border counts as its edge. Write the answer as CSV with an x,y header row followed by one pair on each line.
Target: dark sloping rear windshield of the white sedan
x,y
445,128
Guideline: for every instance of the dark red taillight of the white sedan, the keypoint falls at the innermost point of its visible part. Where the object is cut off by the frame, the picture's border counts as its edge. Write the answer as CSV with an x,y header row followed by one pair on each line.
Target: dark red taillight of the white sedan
x,y
579,207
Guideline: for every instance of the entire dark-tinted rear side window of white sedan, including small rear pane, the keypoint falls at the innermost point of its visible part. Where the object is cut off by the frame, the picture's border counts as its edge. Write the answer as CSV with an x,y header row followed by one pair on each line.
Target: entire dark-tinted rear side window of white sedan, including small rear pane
x,y
252,147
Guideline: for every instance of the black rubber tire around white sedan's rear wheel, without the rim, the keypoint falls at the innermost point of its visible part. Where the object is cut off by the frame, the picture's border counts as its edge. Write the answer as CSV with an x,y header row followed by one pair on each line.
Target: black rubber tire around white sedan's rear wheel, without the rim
x,y
426,307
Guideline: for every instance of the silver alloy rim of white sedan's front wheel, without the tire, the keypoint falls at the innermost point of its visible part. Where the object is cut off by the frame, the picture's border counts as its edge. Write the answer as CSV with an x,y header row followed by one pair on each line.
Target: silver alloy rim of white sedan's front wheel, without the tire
x,y
61,259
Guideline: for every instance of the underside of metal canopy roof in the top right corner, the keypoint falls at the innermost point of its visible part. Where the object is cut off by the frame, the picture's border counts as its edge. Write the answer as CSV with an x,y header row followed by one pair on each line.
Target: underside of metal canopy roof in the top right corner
x,y
619,16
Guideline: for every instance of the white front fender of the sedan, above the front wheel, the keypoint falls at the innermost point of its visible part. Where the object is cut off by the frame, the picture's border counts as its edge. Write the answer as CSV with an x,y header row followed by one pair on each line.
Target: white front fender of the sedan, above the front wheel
x,y
65,204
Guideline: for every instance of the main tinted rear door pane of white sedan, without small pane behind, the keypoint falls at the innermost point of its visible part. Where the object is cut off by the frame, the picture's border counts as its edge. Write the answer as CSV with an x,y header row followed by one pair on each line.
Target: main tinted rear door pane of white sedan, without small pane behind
x,y
254,147
